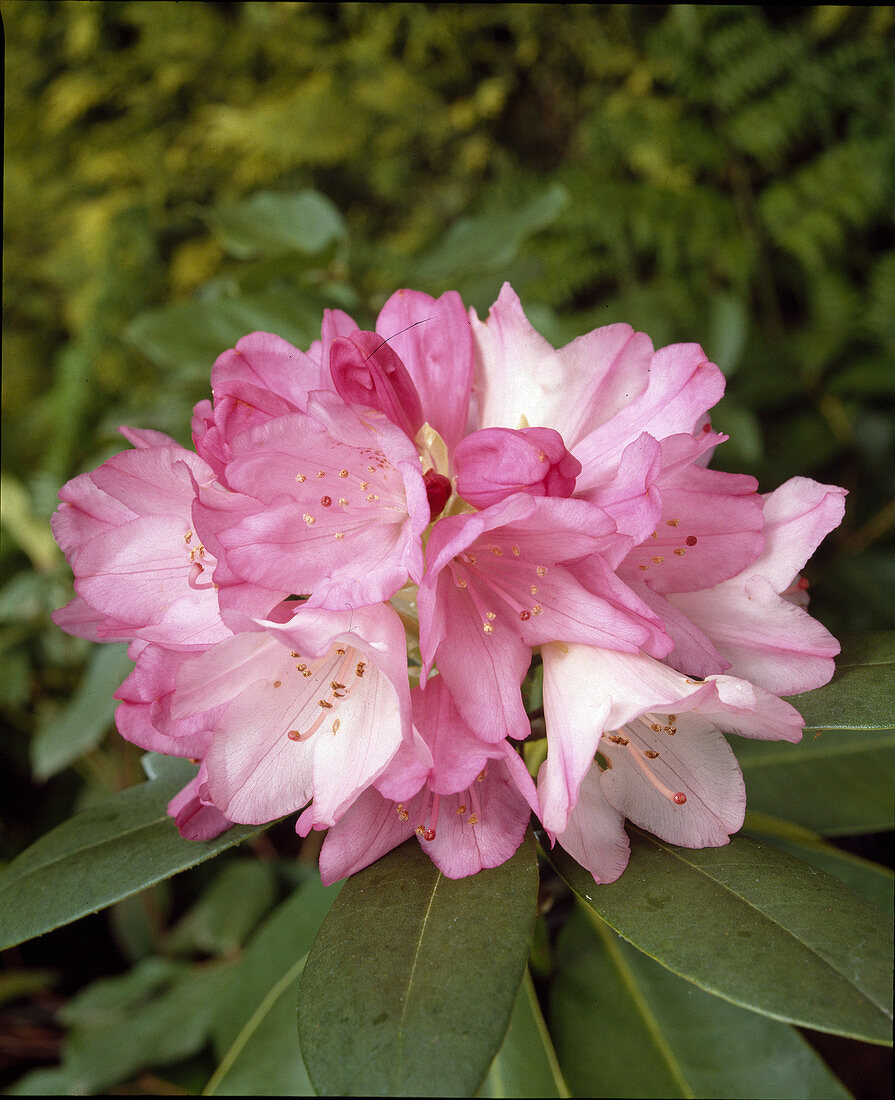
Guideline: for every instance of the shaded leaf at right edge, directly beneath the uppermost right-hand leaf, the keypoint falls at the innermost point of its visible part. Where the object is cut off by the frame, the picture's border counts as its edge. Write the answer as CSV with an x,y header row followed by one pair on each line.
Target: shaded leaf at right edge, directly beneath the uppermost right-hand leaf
x,y
833,783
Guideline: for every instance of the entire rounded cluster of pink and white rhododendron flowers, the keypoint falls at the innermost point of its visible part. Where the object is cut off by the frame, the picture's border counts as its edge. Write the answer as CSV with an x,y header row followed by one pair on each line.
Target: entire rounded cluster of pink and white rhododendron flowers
x,y
334,602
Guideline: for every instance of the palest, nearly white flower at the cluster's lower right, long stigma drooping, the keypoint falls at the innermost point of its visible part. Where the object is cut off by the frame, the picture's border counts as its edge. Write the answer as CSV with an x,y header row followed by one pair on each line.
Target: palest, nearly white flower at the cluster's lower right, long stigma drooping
x,y
666,764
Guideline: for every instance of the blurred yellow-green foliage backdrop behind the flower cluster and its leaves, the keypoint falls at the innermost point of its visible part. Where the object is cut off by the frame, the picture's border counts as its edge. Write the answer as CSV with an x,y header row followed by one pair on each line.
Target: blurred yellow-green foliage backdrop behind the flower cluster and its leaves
x,y
717,174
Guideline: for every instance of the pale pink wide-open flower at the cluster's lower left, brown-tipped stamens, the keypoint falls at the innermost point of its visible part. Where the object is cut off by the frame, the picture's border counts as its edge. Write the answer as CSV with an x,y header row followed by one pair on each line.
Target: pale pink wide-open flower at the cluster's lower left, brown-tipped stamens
x,y
314,706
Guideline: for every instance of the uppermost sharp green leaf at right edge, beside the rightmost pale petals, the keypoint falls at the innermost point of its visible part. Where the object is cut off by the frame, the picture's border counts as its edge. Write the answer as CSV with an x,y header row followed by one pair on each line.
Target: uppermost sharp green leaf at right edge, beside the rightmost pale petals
x,y
861,695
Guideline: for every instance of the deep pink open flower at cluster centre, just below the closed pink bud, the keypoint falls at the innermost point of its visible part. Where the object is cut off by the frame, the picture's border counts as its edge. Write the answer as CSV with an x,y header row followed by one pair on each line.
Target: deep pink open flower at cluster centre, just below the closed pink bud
x,y
496,586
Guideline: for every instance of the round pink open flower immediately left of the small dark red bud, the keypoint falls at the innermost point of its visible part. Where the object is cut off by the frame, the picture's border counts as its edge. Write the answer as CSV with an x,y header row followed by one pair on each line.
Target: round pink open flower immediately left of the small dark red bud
x,y
333,504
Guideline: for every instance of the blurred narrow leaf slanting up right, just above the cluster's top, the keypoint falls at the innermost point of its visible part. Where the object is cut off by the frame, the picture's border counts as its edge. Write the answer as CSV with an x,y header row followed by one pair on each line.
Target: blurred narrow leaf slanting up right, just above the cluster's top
x,y
489,243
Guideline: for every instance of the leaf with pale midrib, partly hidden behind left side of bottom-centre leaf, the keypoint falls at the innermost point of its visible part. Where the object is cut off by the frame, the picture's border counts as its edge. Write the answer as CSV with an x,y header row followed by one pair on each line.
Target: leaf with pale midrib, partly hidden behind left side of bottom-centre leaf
x,y
255,1029
